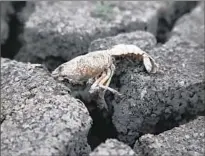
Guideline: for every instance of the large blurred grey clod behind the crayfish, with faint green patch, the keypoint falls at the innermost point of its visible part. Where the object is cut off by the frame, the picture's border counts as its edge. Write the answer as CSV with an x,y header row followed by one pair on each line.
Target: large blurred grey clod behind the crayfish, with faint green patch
x,y
59,31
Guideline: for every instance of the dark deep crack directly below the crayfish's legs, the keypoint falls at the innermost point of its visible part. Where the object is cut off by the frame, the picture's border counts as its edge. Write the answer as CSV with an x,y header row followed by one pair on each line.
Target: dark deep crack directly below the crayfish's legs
x,y
102,127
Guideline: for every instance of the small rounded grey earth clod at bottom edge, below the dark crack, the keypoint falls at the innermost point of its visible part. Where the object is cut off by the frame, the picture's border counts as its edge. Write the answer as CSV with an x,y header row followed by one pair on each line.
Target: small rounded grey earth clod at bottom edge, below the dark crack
x,y
113,147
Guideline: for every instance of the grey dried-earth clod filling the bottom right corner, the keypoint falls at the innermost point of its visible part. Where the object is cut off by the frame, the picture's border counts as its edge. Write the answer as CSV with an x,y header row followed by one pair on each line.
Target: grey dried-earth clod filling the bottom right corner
x,y
188,139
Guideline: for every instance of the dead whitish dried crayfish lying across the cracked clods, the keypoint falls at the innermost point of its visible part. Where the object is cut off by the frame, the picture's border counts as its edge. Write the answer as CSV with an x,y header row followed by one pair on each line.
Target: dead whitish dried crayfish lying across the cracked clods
x,y
98,66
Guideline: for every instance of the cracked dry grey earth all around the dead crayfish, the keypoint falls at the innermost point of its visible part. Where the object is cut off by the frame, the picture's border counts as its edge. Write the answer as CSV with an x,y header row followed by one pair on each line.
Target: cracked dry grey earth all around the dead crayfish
x,y
159,114
